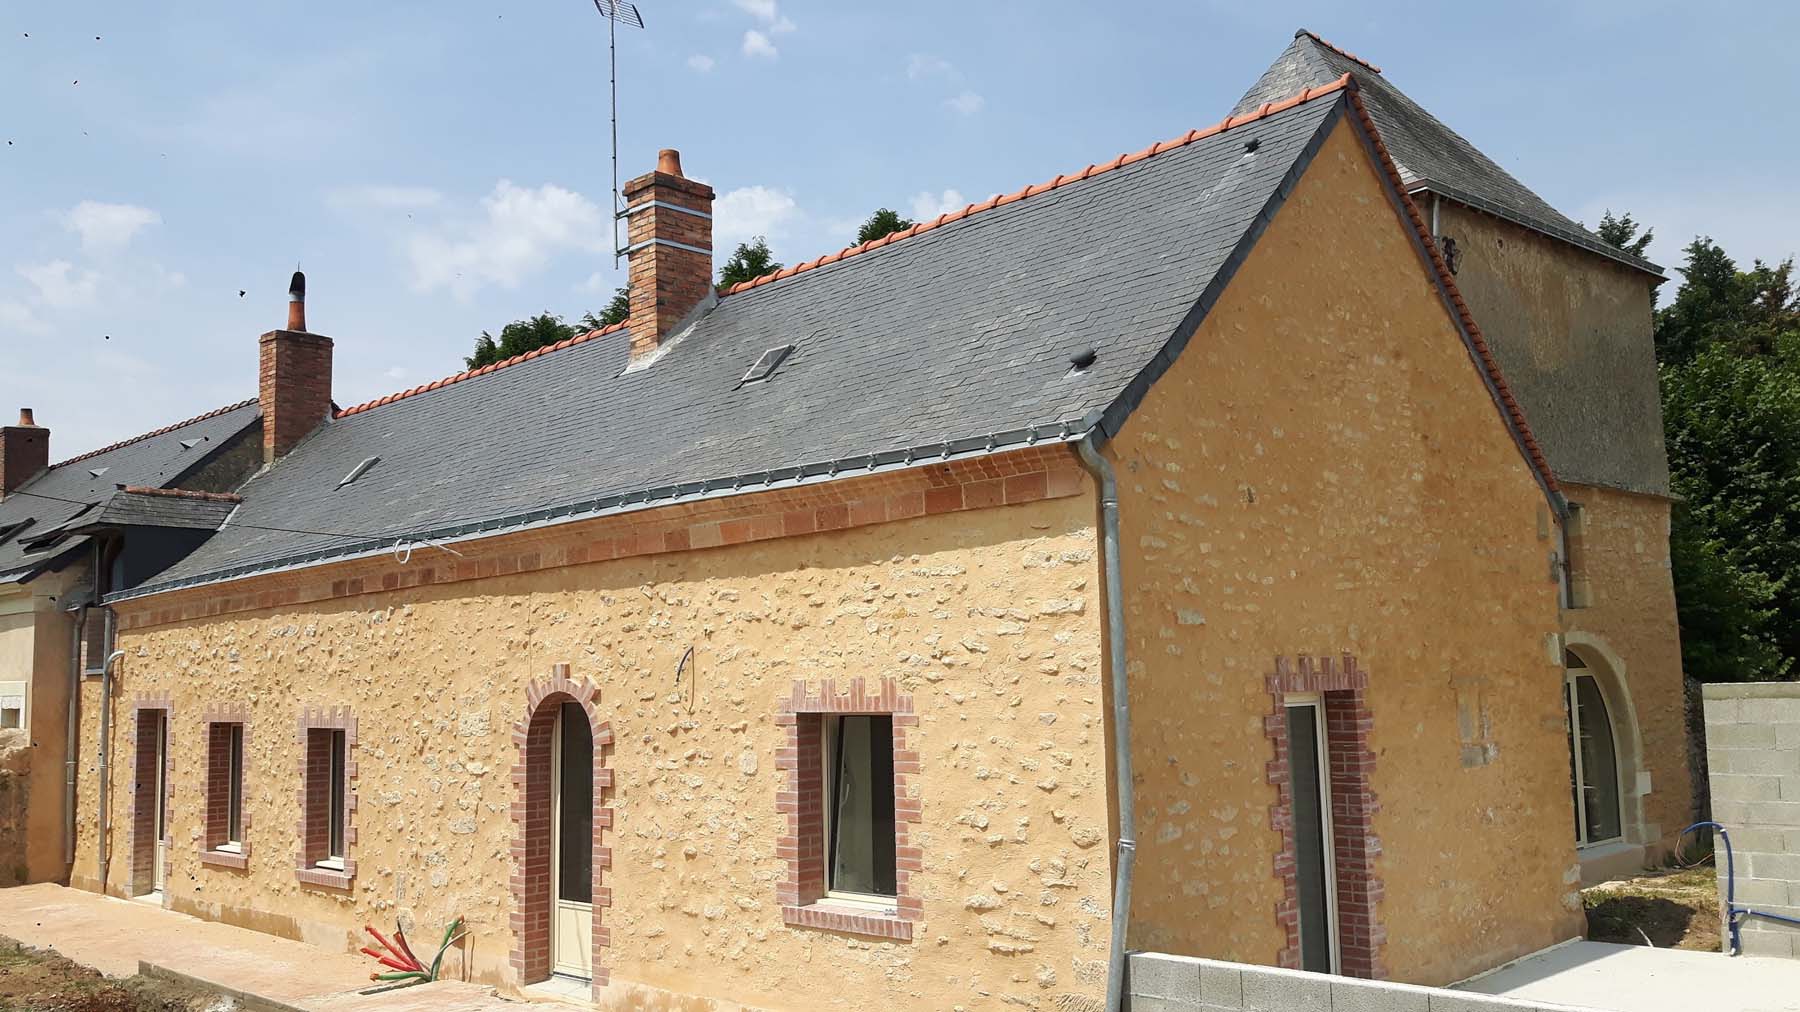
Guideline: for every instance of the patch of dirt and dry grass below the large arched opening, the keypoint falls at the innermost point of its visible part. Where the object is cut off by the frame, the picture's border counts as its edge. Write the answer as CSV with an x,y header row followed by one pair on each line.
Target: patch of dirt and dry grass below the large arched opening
x,y
1669,910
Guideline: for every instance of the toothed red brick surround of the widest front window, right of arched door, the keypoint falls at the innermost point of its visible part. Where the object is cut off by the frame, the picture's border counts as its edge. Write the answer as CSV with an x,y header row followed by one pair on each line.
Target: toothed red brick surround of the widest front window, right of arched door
x,y
802,799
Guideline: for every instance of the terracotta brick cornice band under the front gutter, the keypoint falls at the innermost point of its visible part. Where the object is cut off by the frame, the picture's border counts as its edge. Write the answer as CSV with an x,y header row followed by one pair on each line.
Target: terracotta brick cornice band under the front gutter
x,y
973,483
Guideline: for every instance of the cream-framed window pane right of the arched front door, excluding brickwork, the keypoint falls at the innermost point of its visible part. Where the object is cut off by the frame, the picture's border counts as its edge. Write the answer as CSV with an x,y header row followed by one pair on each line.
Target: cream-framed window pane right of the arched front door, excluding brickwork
x,y
859,820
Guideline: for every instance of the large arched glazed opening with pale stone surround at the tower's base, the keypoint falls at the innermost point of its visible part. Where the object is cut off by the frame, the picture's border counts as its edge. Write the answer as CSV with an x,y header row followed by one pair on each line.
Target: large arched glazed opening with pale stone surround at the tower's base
x,y
1606,773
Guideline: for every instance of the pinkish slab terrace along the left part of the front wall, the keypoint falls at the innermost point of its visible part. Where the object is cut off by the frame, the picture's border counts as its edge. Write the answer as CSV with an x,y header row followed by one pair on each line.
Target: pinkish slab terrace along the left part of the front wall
x,y
276,975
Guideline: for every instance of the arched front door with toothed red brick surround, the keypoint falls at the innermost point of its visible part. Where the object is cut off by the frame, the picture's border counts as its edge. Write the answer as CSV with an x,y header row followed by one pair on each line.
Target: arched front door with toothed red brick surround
x,y
562,777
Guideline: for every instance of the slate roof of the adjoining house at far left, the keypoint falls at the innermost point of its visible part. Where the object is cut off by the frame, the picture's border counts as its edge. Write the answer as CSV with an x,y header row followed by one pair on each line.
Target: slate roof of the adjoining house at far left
x,y
69,494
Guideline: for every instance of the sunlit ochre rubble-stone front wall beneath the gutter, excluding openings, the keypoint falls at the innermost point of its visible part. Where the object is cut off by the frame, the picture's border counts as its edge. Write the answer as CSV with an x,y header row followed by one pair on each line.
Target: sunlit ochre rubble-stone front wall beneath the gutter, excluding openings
x,y
987,619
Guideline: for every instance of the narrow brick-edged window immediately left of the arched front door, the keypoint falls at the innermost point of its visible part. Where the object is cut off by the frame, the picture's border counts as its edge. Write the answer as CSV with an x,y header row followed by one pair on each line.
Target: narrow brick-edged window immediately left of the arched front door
x,y
328,799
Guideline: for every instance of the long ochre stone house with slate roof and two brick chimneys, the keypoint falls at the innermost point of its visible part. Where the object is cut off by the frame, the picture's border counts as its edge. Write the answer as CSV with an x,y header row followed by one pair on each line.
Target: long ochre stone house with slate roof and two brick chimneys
x,y
1138,559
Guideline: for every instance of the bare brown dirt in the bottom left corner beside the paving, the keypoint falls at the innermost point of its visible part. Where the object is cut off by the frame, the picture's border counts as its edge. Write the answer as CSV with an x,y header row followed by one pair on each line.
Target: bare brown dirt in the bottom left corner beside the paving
x,y
40,980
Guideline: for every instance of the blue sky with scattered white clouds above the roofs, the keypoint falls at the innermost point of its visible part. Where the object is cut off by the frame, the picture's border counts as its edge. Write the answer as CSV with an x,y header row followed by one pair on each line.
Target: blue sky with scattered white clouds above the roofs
x,y
444,168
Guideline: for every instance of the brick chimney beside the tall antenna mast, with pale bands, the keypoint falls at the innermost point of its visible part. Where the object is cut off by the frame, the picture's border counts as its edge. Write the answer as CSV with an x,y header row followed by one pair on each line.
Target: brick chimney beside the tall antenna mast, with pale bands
x,y
670,246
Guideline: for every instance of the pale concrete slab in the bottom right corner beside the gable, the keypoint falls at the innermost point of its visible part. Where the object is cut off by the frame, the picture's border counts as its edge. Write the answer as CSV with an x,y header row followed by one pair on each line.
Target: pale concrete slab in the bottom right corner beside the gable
x,y
1637,979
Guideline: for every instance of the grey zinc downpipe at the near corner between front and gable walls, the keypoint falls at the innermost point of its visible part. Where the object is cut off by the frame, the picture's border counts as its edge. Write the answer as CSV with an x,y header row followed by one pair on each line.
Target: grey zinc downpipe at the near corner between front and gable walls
x,y
1115,619
